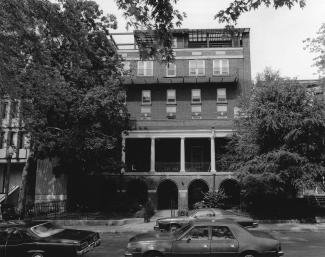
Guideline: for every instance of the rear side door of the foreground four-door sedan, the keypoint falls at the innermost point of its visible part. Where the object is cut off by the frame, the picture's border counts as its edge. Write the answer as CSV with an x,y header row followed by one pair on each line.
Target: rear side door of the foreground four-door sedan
x,y
223,242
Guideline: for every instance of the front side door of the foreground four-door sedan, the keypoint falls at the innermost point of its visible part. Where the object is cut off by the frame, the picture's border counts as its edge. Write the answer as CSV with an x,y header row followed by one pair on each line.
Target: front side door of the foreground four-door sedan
x,y
195,243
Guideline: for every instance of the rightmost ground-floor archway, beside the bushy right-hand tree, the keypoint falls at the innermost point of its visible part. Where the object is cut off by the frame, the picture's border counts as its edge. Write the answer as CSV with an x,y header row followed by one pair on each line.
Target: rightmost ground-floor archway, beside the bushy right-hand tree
x,y
231,189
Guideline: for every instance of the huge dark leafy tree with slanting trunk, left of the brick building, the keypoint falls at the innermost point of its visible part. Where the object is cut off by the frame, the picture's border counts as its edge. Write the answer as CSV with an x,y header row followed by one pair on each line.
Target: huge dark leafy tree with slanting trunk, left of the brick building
x,y
62,64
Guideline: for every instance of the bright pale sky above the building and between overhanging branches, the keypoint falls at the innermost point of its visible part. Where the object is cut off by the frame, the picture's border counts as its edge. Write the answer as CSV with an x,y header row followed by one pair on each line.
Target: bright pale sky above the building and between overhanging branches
x,y
276,36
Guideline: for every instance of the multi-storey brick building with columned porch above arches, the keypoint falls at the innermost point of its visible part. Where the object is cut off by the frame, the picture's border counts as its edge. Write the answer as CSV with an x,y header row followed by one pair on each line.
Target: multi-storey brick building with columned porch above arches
x,y
182,114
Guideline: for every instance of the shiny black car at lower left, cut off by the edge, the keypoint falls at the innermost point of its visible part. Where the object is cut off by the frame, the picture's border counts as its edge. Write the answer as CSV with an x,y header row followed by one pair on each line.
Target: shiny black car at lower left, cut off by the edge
x,y
44,239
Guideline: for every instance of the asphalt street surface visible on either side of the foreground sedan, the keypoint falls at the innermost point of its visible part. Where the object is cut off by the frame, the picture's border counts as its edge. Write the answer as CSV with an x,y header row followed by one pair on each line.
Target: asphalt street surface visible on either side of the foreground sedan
x,y
294,244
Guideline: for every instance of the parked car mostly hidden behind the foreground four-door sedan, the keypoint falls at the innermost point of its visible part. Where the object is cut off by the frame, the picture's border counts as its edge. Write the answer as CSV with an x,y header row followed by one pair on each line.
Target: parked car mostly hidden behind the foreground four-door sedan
x,y
172,223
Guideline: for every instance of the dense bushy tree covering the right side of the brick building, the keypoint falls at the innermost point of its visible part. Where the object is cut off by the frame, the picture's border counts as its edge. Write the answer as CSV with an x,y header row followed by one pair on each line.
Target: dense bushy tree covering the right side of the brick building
x,y
279,147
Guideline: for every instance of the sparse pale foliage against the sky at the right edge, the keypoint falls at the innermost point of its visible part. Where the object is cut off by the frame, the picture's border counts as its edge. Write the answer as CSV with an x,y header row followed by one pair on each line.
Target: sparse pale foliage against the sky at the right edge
x,y
317,45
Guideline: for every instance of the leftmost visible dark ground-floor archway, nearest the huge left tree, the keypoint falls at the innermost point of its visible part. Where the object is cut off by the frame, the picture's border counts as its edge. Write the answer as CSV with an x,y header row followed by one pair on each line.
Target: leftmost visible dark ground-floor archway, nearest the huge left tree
x,y
137,192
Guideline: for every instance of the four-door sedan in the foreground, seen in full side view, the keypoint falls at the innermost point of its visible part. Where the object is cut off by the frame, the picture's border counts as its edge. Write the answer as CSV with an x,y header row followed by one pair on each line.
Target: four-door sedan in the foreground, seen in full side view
x,y
205,238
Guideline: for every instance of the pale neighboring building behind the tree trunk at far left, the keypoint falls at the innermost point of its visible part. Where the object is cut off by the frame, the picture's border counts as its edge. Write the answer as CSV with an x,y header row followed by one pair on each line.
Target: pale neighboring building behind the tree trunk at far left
x,y
12,133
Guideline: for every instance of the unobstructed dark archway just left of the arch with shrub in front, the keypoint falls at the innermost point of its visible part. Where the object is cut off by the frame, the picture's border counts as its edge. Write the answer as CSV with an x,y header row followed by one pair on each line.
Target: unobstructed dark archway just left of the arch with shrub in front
x,y
167,193
